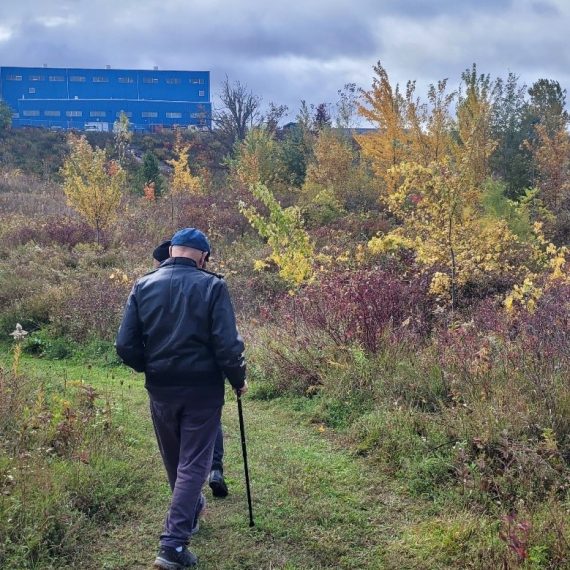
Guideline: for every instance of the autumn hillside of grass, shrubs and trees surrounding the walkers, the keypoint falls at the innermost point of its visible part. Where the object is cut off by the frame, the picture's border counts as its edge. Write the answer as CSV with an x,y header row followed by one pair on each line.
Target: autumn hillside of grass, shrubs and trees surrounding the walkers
x,y
405,298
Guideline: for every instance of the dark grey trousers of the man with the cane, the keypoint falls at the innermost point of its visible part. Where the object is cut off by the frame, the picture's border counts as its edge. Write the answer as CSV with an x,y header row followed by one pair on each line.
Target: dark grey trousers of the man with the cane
x,y
186,437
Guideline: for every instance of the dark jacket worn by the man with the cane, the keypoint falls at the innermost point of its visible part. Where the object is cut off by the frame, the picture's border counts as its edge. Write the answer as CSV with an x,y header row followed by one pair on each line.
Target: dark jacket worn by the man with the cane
x,y
179,328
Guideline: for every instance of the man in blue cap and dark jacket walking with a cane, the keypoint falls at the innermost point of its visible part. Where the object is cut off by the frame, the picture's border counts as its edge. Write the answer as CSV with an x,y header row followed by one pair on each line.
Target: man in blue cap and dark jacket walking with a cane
x,y
179,329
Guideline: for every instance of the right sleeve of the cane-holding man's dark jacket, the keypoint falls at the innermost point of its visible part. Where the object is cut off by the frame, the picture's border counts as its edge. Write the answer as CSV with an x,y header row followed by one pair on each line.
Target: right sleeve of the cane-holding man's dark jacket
x,y
227,343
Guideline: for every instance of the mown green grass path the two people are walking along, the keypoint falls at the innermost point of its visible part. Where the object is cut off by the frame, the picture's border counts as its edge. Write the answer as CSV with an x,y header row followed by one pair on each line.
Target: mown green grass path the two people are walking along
x,y
315,505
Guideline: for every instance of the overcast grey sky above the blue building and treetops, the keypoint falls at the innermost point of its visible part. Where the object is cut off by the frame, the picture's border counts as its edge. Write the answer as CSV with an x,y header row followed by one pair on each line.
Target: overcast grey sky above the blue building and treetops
x,y
298,49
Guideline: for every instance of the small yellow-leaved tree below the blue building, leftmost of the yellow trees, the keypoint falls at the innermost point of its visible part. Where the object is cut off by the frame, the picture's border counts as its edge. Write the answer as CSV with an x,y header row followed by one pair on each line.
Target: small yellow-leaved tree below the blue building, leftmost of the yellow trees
x,y
92,184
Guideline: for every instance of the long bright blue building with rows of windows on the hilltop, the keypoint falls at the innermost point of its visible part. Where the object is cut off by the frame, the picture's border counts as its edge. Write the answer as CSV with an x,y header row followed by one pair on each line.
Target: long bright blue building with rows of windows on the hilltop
x,y
93,99
